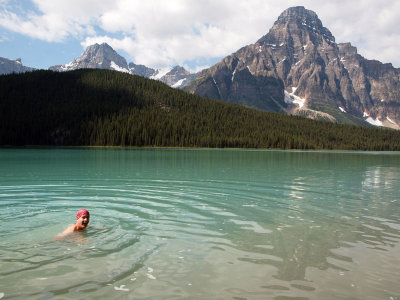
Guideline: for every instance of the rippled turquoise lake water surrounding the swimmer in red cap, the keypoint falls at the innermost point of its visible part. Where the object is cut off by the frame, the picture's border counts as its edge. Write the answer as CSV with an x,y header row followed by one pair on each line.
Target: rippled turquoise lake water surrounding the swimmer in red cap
x,y
200,224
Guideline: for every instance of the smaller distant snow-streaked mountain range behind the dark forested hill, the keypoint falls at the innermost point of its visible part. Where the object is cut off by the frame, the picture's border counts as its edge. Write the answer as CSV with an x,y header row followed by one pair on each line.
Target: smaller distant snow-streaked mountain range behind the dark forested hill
x,y
105,57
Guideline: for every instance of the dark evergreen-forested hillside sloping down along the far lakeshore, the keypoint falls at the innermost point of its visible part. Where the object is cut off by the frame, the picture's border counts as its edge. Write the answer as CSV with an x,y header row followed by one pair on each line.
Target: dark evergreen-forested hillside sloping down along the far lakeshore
x,y
108,108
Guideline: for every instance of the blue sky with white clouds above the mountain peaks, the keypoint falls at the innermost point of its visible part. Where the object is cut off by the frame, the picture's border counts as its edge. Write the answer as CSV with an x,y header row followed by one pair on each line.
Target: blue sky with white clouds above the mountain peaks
x,y
191,33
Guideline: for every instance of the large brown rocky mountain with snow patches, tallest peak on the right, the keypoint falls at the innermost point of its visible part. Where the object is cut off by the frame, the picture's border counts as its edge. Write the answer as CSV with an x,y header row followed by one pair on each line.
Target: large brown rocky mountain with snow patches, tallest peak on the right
x,y
298,68
